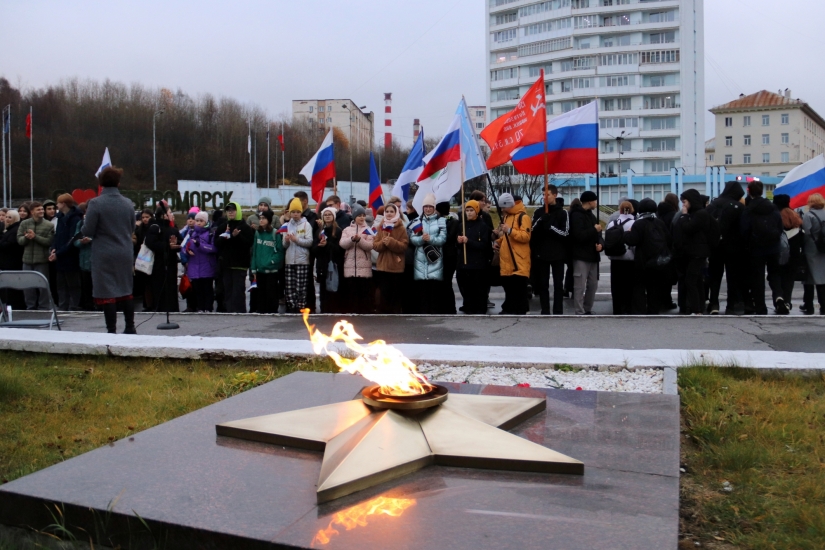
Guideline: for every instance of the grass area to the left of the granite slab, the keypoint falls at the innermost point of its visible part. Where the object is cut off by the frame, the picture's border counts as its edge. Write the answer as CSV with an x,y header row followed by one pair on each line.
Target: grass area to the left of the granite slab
x,y
54,407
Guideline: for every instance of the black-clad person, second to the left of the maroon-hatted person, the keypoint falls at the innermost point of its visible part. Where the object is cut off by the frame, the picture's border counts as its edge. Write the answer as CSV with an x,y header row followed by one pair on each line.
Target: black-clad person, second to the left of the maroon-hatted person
x,y
728,258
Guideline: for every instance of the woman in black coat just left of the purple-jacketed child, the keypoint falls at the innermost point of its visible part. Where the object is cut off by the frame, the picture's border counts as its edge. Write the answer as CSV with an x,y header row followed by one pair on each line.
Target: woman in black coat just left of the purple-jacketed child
x,y
164,240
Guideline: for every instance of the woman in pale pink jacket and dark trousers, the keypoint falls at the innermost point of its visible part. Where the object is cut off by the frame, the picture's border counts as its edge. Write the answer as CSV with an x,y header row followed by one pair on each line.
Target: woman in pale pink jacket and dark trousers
x,y
356,240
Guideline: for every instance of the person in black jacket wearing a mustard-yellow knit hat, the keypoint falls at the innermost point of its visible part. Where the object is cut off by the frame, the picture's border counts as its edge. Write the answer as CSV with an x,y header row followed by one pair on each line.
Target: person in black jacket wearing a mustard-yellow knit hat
x,y
473,275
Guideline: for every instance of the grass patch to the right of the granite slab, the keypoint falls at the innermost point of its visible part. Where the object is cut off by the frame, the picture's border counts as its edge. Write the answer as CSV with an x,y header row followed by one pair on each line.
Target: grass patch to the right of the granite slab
x,y
754,453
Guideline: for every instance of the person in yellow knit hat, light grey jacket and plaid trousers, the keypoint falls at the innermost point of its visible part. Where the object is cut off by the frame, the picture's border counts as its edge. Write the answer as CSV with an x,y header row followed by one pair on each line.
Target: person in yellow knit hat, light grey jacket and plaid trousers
x,y
298,241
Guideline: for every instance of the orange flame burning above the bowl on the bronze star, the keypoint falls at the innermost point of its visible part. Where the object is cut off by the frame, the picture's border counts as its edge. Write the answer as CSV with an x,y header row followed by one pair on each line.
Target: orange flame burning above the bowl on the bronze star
x,y
377,362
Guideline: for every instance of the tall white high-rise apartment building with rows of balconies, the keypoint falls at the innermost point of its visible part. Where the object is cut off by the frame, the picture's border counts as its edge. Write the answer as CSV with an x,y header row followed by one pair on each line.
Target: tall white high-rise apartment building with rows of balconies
x,y
643,60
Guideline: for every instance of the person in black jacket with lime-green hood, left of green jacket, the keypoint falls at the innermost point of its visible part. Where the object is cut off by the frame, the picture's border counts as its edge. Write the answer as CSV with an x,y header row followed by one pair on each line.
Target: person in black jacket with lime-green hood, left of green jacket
x,y
234,239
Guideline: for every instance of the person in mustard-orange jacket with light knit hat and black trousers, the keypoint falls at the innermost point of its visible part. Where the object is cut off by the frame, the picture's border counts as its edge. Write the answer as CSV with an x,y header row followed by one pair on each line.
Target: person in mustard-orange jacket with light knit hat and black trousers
x,y
512,239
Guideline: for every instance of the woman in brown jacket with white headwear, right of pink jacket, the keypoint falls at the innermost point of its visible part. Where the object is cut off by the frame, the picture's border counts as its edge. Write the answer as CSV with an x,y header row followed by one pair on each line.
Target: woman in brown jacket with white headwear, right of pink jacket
x,y
391,244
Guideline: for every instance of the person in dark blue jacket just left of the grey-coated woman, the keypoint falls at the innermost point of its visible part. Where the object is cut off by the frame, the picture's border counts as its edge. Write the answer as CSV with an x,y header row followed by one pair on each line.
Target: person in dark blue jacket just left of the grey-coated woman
x,y
65,257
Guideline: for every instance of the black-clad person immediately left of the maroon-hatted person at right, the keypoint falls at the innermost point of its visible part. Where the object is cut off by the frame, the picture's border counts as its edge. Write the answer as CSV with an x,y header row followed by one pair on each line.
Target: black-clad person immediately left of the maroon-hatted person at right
x,y
761,229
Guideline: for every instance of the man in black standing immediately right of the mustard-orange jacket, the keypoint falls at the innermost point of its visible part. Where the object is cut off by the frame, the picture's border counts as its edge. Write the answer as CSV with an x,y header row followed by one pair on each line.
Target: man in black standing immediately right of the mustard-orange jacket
x,y
548,243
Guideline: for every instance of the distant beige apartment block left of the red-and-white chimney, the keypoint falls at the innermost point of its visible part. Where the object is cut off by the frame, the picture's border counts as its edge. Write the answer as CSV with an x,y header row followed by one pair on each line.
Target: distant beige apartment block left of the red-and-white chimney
x,y
339,113
